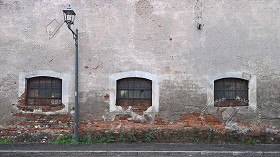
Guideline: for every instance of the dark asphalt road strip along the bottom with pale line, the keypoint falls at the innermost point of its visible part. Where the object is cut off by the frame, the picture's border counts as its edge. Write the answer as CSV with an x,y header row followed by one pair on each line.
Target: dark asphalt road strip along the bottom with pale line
x,y
138,149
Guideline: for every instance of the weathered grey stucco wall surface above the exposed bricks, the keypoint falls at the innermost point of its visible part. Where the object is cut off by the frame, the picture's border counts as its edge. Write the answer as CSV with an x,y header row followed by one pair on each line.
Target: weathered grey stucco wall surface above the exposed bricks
x,y
159,37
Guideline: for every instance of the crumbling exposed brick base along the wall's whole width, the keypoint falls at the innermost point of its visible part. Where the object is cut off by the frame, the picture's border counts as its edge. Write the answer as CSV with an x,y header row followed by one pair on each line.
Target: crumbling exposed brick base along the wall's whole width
x,y
188,128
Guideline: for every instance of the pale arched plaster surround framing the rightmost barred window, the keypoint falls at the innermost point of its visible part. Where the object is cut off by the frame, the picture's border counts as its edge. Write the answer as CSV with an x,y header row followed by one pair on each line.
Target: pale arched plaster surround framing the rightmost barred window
x,y
252,94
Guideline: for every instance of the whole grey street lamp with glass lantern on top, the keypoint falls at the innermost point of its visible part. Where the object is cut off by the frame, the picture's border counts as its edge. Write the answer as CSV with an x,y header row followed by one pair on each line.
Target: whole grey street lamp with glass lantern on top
x,y
69,17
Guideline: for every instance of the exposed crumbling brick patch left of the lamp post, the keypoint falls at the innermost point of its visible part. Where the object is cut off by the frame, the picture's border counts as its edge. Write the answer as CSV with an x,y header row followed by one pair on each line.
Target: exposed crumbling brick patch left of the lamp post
x,y
35,124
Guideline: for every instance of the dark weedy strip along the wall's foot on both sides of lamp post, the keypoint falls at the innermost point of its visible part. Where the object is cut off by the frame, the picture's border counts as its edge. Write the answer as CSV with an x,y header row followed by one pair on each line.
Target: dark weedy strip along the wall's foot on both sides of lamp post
x,y
194,136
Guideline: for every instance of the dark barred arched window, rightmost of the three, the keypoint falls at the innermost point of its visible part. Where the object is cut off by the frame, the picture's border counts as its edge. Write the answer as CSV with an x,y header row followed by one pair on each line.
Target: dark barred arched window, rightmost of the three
x,y
231,92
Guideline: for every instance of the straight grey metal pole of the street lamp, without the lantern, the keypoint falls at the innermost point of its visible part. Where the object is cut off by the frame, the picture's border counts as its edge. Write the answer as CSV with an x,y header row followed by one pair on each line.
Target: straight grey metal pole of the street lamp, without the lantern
x,y
76,127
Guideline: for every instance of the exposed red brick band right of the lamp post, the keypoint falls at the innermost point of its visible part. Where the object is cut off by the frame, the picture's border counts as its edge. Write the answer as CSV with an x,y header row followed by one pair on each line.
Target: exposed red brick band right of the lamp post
x,y
122,123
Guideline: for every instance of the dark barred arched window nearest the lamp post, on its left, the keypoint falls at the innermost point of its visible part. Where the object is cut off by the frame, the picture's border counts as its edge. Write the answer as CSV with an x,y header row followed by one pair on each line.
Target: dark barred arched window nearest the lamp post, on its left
x,y
44,91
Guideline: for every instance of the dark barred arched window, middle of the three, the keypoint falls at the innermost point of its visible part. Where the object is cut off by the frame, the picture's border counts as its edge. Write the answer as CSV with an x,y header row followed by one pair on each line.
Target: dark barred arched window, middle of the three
x,y
134,92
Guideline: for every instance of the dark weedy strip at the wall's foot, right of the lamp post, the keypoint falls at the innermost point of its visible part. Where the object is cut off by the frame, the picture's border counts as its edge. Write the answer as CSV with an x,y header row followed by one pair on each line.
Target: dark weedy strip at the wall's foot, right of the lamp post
x,y
183,136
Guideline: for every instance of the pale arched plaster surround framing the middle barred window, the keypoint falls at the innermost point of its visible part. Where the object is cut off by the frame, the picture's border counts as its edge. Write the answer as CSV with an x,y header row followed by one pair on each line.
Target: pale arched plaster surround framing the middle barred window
x,y
140,74
